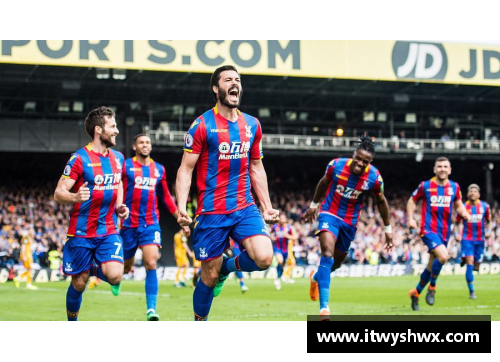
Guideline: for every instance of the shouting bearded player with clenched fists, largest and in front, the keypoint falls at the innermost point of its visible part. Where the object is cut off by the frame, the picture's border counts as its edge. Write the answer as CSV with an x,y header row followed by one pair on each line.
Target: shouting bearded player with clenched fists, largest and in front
x,y
224,144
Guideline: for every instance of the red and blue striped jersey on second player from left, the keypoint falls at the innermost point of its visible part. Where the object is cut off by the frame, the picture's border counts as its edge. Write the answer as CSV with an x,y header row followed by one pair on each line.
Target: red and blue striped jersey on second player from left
x,y
141,185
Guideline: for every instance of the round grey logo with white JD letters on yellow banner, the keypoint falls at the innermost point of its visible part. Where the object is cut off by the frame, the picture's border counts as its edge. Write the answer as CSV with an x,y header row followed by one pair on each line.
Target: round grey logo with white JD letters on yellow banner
x,y
418,60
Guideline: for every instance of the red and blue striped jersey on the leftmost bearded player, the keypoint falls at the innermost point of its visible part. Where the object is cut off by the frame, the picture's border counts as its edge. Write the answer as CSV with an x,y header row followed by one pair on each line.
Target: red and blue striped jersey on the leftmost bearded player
x,y
96,216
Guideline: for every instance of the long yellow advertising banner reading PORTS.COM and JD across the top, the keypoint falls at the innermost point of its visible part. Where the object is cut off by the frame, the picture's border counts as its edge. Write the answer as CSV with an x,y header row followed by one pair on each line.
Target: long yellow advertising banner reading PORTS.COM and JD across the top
x,y
439,62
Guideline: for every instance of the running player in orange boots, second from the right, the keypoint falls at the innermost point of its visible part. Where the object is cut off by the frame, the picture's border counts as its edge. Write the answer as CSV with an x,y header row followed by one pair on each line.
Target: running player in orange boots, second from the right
x,y
439,195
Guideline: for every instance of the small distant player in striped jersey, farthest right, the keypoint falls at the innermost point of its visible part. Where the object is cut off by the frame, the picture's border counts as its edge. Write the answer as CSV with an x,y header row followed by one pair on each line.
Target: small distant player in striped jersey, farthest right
x,y
474,233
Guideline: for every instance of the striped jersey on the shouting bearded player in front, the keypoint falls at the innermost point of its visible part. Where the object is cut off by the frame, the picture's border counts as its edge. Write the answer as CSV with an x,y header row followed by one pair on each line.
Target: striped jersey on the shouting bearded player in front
x,y
225,149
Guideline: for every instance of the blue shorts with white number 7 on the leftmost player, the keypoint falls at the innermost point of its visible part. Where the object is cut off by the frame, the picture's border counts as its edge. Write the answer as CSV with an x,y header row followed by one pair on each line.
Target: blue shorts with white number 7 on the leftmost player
x,y
80,253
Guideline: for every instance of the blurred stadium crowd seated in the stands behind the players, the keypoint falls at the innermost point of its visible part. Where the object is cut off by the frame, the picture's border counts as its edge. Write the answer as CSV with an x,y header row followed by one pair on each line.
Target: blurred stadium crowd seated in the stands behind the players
x,y
33,208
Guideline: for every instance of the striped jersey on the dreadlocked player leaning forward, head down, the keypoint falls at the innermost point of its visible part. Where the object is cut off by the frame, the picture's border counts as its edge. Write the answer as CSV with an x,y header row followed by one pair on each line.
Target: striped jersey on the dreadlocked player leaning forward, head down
x,y
344,197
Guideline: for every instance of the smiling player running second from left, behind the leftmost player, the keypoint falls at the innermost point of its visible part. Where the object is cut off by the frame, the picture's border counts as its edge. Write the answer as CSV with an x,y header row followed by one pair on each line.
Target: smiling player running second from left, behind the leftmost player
x,y
144,181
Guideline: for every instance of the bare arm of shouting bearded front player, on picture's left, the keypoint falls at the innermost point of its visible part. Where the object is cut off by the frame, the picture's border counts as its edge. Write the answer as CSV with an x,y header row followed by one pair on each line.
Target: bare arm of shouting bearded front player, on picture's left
x,y
183,185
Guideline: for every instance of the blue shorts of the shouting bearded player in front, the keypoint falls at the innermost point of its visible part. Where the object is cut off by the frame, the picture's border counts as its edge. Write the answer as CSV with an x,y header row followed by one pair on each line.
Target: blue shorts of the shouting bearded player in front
x,y
212,231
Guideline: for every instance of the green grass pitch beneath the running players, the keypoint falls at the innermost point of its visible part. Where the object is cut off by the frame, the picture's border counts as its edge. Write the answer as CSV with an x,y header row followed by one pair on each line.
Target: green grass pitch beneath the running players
x,y
262,302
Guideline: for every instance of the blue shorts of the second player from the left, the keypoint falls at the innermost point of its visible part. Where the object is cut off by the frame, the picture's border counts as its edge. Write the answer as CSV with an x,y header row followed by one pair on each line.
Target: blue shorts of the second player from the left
x,y
134,238
